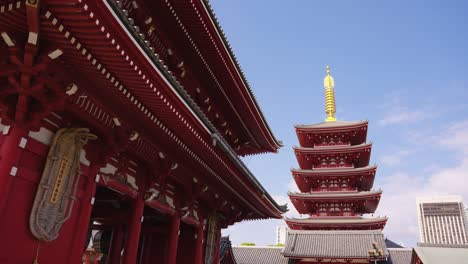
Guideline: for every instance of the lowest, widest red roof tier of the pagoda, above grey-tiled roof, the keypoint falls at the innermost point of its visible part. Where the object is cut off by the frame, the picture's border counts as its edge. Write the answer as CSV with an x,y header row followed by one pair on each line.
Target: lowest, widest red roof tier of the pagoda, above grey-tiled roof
x,y
337,223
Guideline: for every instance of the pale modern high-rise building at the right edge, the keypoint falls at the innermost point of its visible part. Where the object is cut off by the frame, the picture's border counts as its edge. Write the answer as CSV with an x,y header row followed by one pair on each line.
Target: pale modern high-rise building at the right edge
x,y
442,220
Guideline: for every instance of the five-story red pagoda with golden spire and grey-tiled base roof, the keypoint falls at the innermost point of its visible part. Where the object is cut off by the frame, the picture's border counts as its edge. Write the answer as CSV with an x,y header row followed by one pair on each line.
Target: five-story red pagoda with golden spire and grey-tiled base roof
x,y
335,183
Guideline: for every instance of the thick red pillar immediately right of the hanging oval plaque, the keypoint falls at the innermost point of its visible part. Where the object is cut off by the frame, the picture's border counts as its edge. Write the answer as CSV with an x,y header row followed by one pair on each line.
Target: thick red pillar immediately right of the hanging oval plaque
x,y
84,215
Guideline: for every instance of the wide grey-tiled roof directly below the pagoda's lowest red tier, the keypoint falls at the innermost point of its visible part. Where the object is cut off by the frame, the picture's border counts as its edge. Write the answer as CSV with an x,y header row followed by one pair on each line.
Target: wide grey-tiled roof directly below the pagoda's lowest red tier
x,y
336,244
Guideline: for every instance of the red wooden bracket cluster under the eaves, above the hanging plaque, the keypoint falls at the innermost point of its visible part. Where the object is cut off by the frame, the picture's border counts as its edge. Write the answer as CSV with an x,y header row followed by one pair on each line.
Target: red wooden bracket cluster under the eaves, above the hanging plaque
x,y
27,91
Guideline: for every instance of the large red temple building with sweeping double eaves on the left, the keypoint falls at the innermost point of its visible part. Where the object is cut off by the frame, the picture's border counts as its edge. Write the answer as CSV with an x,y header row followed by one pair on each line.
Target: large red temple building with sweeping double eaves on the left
x,y
123,123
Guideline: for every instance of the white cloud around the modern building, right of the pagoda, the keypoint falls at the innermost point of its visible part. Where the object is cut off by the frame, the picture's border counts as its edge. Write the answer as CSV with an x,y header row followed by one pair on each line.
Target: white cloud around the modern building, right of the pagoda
x,y
401,189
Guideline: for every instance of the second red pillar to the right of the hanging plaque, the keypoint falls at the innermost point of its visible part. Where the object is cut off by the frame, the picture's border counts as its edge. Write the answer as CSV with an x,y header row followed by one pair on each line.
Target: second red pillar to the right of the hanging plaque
x,y
134,228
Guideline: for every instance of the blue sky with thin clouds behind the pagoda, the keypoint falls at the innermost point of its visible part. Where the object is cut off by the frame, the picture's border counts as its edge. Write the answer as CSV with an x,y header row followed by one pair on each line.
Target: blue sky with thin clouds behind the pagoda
x,y
400,64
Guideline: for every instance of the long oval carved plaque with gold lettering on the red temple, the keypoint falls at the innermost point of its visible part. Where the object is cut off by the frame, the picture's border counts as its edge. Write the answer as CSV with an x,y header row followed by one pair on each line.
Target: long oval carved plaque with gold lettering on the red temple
x,y
56,192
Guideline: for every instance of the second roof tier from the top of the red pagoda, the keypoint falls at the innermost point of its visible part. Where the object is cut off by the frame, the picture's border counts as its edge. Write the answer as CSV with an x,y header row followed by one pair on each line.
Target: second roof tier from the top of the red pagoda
x,y
333,156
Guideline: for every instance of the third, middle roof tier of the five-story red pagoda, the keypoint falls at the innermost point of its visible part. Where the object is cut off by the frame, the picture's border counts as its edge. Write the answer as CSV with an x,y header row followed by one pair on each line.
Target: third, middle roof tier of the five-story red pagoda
x,y
360,178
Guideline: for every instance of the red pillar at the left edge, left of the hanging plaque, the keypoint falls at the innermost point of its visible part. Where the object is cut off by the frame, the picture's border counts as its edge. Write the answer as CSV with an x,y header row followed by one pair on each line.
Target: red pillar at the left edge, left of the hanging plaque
x,y
10,152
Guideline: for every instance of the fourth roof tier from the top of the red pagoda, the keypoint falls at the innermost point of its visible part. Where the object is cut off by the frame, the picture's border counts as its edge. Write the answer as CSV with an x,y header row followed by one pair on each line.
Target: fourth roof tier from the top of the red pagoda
x,y
357,202
